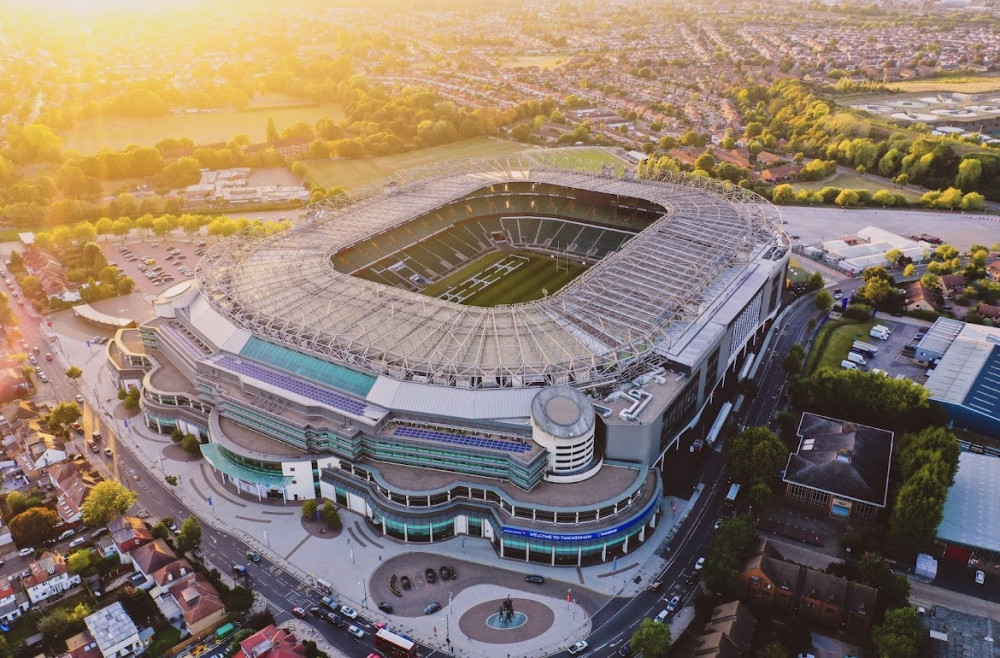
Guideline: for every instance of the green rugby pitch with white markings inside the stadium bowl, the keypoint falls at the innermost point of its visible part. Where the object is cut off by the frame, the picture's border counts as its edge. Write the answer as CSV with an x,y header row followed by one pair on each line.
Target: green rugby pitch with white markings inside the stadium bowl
x,y
505,278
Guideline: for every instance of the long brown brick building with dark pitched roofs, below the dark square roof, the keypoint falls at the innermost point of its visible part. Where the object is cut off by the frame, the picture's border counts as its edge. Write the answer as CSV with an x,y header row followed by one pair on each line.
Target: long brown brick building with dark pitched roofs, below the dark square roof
x,y
770,582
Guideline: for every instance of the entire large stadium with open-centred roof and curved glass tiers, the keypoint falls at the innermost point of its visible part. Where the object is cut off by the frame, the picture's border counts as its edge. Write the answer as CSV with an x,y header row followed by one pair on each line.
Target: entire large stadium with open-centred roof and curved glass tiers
x,y
496,348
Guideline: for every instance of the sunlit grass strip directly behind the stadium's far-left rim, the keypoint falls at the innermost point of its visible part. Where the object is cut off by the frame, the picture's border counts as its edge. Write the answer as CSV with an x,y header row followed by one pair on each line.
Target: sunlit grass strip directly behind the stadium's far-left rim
x,y
352,174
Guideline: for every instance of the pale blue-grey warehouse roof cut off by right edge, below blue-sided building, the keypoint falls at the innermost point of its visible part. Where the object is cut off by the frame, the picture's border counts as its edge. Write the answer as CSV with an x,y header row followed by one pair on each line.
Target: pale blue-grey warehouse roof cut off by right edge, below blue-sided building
x,y
972,506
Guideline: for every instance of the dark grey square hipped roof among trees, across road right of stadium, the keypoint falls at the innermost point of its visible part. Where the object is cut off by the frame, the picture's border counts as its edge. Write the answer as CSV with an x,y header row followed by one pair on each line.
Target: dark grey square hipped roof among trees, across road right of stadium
x,y
842,458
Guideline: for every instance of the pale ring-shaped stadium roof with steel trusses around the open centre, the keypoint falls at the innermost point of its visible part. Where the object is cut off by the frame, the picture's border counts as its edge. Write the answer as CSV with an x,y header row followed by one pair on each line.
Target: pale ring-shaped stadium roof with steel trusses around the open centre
x,y
624,310
